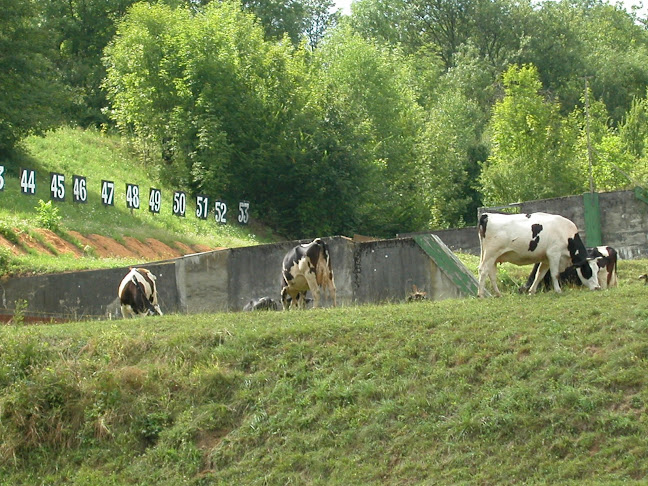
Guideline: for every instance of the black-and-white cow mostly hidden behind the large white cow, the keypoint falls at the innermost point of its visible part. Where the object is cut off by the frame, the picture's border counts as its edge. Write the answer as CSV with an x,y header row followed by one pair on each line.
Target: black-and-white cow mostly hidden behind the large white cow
x,y
606,259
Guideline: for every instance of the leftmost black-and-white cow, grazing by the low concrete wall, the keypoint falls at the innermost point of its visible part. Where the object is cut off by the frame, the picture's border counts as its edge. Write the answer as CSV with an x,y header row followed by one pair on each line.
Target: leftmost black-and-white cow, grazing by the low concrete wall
x,y
138,294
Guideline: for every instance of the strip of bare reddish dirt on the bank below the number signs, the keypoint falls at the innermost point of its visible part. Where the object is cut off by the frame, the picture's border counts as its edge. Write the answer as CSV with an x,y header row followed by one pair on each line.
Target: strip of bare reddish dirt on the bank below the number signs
x,y
102,246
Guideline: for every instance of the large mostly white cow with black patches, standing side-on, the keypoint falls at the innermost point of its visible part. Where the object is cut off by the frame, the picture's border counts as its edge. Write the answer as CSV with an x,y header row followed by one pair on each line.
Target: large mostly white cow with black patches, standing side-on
x,y
523,239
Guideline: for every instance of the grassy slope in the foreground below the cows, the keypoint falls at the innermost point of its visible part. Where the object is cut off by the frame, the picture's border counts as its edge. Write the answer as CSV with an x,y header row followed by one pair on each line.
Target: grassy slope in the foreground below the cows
x,y
538,389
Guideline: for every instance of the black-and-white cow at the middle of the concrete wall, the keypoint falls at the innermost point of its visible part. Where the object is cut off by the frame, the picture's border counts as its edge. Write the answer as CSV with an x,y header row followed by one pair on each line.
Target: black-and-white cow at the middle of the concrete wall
x,y
306,267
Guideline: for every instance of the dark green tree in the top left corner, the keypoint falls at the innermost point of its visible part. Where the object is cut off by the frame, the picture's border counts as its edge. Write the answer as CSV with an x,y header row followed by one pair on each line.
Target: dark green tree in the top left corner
x,y
30,96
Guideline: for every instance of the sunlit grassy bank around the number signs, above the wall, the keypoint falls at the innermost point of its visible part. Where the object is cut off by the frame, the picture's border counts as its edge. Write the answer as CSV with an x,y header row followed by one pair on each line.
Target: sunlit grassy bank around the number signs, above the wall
x,y
98,156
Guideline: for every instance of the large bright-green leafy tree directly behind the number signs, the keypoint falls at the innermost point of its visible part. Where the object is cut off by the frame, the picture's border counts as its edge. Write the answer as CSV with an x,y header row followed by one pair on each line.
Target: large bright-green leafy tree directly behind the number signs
x,y
191,84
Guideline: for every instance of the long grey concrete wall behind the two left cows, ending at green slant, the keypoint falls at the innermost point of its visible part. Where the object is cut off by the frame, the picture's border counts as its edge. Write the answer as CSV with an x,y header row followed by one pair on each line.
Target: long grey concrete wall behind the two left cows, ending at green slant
x,y
226,280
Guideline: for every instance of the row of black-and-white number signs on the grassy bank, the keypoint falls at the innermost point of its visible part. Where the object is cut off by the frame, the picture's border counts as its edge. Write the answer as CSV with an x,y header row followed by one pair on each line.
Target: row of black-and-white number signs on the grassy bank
x,y
133,196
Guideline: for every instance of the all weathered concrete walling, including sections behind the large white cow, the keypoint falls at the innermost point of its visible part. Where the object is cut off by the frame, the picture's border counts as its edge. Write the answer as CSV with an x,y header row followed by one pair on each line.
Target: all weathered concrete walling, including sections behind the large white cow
x,y
364,272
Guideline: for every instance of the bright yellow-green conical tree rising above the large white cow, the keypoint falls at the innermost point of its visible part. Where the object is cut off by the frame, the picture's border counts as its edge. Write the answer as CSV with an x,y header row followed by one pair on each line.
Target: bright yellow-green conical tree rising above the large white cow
x,y
532,153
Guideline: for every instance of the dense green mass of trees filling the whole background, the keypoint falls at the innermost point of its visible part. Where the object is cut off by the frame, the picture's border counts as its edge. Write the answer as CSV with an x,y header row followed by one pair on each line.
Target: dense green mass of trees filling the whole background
x,y
403,116
